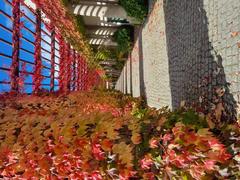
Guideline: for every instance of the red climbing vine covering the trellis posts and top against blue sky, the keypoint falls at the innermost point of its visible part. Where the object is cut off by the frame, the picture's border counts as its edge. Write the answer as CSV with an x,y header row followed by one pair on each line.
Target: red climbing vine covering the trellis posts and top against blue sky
x,y
60,23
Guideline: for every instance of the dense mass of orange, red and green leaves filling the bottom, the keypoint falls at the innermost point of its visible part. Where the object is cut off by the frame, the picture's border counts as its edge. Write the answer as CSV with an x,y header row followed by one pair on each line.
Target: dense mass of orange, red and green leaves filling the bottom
x,y
105,135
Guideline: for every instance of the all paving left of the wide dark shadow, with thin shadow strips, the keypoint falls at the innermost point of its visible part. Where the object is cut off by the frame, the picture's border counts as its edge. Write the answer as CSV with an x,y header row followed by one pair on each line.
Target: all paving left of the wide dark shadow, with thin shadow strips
x,y
148,60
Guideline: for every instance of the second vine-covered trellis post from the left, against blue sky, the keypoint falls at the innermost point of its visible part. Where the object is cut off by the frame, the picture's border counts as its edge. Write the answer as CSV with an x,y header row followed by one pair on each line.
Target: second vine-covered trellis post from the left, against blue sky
x,y
37,77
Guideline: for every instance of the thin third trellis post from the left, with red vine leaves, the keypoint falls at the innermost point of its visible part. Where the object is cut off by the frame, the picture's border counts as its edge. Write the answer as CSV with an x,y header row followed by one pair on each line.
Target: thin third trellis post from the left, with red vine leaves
x,y
52,59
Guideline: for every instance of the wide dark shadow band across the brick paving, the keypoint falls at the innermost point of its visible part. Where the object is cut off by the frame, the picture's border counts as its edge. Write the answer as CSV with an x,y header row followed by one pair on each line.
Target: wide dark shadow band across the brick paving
x,y
196,72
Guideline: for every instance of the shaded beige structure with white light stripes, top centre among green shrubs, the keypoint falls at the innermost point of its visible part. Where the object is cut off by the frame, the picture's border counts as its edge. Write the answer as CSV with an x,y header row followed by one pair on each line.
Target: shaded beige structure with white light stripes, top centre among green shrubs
x,y
102,19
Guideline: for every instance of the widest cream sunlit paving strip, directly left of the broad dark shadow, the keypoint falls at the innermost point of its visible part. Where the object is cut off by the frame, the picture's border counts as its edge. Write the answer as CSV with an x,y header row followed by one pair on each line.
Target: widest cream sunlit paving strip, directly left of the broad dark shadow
x,y
156,85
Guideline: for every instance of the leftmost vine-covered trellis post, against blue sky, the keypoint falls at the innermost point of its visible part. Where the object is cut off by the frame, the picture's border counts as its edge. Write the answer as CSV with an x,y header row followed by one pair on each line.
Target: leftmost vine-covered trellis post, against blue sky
x,y
14,71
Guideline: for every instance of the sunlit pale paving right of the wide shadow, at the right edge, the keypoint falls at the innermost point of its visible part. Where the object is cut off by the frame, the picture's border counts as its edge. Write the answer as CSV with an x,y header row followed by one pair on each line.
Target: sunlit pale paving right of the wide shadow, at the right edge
x,y
224,36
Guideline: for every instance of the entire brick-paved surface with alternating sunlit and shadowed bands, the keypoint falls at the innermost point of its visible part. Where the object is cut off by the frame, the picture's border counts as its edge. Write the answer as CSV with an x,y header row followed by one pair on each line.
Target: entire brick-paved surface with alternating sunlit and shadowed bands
x,y
197,54
